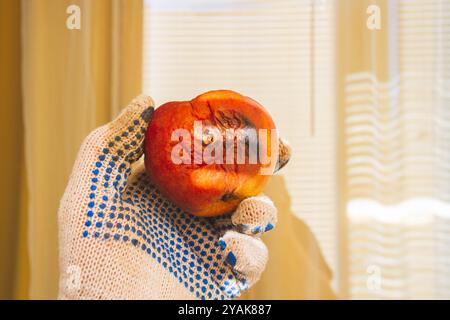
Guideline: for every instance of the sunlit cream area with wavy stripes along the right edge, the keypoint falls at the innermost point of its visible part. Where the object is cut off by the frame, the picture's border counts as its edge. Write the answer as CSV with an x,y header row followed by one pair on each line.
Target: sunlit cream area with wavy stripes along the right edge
x,y
398,156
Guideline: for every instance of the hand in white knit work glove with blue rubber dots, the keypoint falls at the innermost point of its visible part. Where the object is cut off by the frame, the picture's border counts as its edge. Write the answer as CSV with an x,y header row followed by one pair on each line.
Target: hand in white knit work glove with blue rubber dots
x,y
121,239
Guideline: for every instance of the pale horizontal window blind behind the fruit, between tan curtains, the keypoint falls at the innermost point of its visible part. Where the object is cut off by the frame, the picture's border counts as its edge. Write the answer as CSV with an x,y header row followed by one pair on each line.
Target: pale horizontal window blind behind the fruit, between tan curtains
x,y
280,53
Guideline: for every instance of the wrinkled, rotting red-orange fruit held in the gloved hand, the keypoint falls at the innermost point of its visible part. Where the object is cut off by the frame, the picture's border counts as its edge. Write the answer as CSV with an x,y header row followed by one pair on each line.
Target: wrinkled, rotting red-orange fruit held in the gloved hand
x,y
189,158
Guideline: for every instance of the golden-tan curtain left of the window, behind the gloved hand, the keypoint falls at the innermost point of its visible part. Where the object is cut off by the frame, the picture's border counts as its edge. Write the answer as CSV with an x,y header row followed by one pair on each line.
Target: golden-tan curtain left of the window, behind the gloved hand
x,y
73,81
